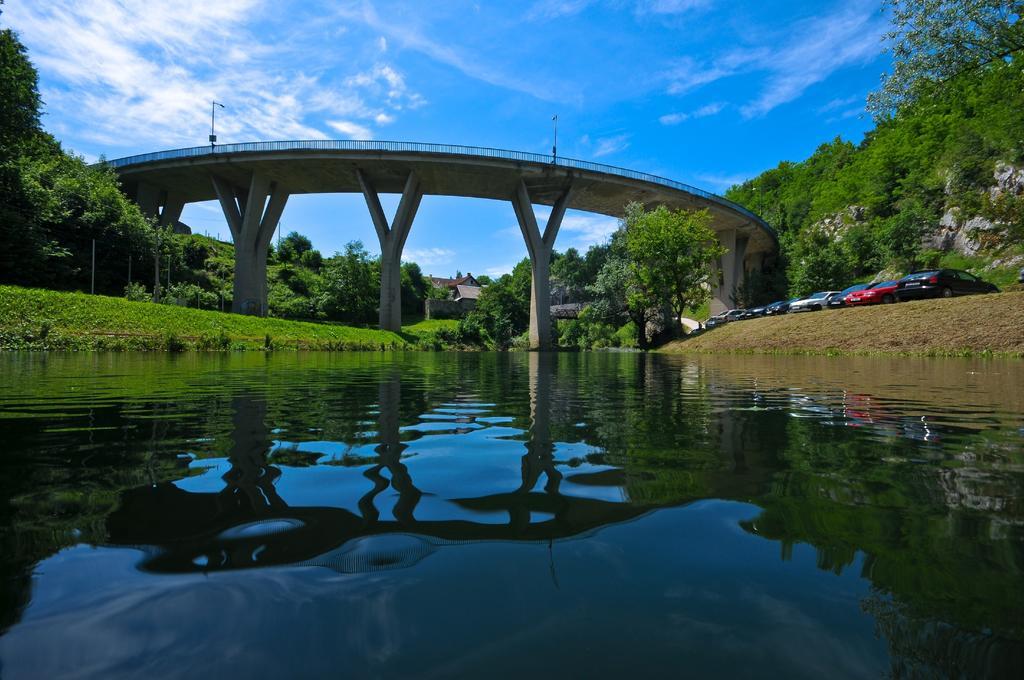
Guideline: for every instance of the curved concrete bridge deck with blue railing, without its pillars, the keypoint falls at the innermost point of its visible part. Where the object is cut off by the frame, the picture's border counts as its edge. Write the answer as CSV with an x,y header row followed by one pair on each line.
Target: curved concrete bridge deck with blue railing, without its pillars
x,y
329,166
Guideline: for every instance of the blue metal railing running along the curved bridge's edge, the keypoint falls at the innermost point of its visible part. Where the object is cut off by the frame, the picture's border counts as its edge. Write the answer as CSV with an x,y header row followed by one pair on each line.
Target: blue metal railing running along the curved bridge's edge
x,y
426,148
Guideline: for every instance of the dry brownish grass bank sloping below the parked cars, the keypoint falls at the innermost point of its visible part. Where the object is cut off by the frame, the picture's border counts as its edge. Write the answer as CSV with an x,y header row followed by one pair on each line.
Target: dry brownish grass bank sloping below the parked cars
x,y
967,326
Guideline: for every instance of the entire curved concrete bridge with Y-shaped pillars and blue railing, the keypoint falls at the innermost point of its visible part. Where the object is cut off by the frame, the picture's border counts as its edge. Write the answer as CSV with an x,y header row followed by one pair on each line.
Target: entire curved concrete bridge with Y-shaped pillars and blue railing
x,y
252,182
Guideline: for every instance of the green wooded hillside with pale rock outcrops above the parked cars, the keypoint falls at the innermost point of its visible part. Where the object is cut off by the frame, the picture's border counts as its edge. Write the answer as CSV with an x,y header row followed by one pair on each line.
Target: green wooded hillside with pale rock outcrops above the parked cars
x,y
941,183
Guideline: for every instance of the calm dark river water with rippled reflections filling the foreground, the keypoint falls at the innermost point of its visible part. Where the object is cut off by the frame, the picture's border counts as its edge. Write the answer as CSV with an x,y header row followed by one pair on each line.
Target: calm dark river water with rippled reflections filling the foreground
x,y
503,516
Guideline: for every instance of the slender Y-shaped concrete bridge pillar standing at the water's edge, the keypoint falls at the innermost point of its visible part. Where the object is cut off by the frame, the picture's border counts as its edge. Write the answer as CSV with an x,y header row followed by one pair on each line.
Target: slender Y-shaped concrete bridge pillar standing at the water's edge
x,y
539,246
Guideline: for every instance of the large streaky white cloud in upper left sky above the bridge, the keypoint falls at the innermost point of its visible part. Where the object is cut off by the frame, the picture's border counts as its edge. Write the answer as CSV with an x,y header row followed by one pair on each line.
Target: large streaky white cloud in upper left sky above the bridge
x,y
137,73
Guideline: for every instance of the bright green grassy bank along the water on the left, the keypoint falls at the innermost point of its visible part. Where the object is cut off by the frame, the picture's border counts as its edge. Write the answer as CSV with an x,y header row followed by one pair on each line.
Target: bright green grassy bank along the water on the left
x,y
42,320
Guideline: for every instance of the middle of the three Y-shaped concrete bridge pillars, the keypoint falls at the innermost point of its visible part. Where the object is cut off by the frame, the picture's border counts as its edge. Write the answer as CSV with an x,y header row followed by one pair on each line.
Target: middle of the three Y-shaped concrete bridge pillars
x,y
393,241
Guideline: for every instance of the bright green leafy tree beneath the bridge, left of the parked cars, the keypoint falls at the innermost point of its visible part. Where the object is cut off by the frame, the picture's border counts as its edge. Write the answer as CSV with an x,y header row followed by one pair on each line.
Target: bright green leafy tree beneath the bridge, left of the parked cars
x,y
671,256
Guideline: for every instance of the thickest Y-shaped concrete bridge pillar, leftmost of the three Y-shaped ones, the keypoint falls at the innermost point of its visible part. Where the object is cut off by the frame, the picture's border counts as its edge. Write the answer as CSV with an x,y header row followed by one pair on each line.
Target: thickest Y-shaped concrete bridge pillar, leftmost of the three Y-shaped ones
x,y
252,216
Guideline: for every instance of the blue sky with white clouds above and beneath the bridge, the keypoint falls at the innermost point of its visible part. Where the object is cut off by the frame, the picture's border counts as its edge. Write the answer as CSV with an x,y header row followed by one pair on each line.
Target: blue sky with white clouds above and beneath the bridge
x,y
709,93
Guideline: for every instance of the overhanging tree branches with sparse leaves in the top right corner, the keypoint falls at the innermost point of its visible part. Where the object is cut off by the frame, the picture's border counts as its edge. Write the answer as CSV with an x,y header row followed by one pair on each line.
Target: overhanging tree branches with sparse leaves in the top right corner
x,y
933,41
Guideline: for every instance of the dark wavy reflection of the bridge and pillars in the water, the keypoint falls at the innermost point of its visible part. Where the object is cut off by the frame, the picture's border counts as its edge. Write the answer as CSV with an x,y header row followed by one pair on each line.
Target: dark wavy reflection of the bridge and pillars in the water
x,y
249,525
